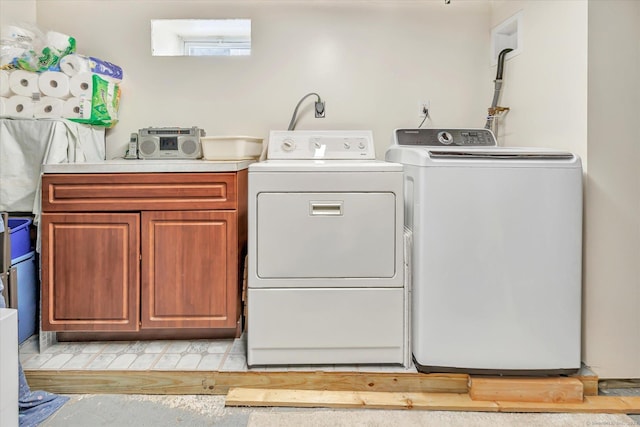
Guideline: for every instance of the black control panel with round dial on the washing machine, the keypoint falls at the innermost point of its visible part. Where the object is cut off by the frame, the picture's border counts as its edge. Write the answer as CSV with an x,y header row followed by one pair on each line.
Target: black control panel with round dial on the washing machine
x,y
446,137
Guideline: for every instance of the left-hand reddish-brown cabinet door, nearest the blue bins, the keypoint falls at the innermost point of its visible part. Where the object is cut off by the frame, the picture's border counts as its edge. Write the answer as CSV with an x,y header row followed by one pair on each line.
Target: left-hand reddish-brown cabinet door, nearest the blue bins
x,y
90,272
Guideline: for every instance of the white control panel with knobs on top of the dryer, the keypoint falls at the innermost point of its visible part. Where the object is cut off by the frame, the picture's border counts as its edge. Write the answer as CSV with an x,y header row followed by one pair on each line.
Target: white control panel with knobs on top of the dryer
x,y
321,145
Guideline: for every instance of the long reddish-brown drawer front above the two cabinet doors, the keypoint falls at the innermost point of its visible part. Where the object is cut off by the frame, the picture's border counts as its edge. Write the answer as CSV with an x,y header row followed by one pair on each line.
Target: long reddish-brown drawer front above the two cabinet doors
x,y
138,191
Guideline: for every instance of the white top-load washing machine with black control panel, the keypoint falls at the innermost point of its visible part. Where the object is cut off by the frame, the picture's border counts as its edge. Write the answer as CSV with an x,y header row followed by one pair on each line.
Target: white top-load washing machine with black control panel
x,y
497,250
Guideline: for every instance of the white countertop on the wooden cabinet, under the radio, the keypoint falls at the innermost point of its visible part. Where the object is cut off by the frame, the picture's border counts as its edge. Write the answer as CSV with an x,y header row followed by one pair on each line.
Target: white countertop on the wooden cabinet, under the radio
x,y
140,166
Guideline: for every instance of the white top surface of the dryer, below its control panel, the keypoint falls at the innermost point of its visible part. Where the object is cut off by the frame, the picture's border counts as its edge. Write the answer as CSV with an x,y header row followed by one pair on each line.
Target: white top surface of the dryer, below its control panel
x,y
319,166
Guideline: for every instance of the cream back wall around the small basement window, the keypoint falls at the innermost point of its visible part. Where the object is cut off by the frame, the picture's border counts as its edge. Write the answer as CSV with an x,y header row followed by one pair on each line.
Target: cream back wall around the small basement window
x,y
373,62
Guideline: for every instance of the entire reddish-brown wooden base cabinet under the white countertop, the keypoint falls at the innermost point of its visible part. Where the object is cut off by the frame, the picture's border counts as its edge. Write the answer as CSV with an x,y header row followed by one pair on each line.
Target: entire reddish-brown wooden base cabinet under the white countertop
x,y
141,252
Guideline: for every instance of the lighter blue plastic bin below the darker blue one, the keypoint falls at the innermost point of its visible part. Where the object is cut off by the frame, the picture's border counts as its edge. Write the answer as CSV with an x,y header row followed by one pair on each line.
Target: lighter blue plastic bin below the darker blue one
x,y
27,295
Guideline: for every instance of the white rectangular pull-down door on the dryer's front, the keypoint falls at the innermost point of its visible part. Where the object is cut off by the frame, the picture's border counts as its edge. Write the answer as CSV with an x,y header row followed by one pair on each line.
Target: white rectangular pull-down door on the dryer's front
x,y
326,235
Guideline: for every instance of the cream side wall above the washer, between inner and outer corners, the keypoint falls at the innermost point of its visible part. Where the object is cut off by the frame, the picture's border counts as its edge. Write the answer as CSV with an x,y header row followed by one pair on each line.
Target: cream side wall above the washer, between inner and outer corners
x,y
545,86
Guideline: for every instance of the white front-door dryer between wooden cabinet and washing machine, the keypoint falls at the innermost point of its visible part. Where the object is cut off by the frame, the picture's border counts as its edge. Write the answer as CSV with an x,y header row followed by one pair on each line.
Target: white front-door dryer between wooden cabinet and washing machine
x,y
325,253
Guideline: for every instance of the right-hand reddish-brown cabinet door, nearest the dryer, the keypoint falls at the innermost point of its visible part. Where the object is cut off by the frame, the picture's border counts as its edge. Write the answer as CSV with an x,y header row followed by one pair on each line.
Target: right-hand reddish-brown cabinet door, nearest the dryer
x,y
189,276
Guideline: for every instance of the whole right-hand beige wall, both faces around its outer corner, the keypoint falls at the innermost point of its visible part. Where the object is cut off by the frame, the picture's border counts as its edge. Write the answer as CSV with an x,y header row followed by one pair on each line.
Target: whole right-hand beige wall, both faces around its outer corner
x,y
575,86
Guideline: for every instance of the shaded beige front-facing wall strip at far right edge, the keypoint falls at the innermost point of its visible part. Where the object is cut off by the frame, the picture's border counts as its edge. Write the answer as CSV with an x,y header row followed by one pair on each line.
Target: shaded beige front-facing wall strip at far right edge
x,y
612,228
